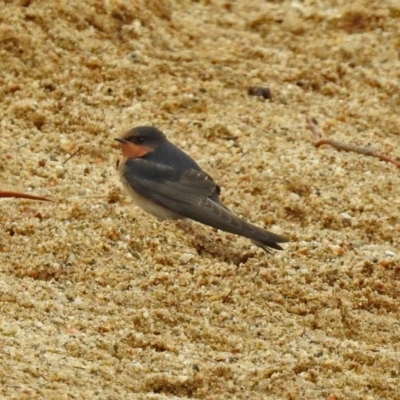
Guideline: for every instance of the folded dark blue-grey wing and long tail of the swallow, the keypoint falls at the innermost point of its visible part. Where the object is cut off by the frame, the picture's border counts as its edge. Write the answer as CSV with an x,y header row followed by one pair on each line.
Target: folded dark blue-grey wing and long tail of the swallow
x,y
192,194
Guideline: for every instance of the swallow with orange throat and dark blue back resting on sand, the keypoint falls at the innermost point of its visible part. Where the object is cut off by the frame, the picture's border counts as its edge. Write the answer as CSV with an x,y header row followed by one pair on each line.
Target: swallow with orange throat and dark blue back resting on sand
x,y
167,183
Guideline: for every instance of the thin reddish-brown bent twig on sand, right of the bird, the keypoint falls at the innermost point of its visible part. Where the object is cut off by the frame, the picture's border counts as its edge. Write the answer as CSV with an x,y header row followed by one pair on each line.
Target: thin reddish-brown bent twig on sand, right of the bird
x,y
368,151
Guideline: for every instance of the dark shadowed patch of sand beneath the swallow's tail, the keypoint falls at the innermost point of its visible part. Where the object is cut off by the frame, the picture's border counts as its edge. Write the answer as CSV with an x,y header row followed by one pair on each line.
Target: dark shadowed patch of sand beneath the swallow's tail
x,y
214,245
